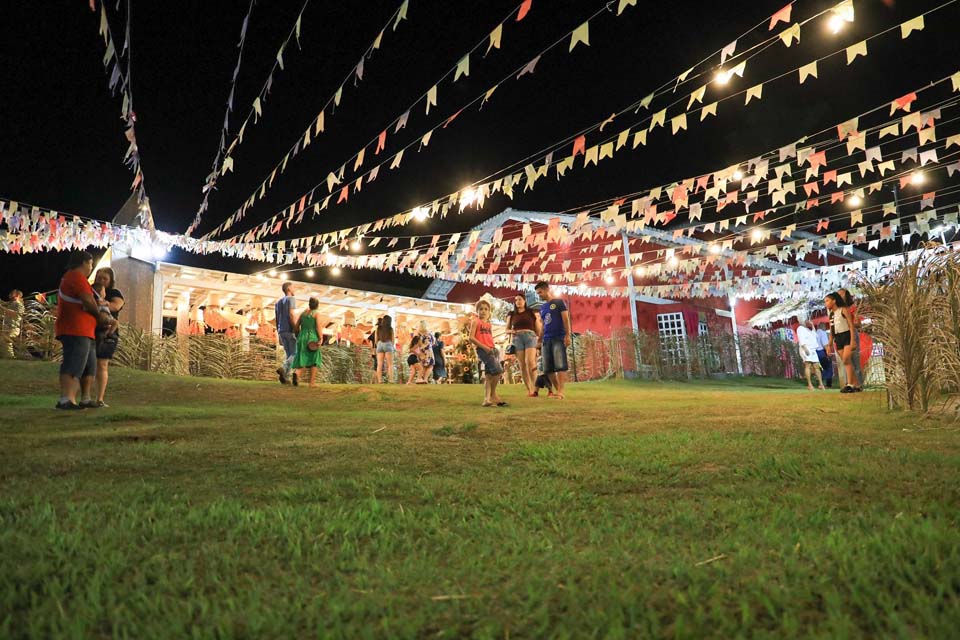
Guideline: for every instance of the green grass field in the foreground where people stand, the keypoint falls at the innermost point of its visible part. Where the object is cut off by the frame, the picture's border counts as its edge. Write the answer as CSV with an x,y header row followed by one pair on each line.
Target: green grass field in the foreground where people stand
x,y
206,508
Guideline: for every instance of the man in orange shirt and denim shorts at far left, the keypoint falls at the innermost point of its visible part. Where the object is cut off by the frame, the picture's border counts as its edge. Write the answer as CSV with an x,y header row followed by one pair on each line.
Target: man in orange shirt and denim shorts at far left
x,y
77,316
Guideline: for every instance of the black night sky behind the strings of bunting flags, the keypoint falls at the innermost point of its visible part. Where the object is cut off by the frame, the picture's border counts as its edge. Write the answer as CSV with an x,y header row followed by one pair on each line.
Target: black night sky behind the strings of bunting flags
x,y
61,138
